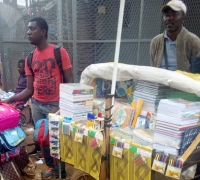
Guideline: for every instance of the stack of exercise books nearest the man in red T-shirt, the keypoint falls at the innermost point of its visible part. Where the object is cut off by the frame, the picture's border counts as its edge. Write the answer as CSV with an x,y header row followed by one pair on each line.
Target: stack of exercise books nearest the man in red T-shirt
x,y
76,100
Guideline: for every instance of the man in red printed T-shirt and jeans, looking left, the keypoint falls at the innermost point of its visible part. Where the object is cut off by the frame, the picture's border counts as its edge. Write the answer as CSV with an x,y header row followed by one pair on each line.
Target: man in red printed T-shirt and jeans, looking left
x,y
43,83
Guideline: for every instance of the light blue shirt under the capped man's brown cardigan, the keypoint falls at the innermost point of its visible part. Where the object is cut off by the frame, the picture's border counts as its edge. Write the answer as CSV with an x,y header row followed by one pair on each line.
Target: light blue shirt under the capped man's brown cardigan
x,y
170,47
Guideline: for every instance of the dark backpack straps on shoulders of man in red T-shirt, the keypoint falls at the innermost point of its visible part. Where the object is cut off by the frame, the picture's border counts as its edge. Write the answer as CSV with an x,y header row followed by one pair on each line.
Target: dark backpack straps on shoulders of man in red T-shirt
x,y
56,54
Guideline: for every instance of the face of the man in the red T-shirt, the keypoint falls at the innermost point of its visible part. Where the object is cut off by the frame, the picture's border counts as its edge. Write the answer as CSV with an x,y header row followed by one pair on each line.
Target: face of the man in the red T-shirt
x,y
35,33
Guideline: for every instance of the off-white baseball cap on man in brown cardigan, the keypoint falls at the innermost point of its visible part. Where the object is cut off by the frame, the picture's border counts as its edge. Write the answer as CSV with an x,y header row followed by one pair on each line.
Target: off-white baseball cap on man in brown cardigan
x,y
176,5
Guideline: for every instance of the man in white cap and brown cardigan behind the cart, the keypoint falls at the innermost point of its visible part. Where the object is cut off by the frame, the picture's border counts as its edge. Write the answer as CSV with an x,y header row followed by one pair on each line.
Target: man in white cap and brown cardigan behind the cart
x,y
176,47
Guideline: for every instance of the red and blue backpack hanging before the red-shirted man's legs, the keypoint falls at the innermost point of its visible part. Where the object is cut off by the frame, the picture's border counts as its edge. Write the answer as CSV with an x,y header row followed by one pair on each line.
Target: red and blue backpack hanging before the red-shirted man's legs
x,y
41,132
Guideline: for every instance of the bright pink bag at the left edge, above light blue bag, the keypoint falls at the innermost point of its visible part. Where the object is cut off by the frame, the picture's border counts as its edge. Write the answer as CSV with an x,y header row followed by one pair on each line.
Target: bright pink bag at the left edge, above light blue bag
x,y
9,117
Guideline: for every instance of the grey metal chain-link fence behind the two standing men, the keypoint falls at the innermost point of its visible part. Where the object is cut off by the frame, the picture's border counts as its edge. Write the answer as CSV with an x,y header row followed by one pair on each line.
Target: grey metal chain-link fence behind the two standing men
x,y
87,29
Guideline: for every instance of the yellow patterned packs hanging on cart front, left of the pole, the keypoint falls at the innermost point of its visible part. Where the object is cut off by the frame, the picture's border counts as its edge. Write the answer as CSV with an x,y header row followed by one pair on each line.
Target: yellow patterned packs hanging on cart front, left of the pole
x,y
88,148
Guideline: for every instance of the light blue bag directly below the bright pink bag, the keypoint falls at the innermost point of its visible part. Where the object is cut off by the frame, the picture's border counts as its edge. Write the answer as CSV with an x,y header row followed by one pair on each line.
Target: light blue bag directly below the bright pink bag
x,y
11,139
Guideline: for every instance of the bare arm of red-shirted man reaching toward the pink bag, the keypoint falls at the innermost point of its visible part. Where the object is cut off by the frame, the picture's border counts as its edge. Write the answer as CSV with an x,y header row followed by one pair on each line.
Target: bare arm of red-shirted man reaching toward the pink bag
x,y
25,94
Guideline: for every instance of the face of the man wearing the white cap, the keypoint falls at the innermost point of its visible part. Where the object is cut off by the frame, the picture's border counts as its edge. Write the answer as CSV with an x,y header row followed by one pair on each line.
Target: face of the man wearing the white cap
x,y
173,20
